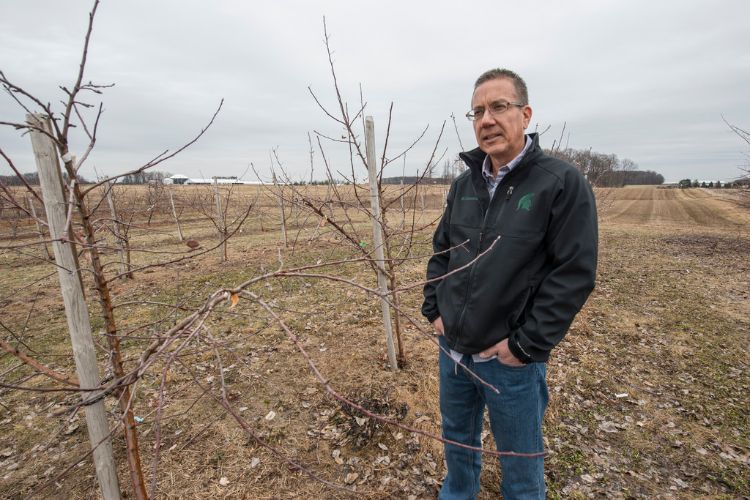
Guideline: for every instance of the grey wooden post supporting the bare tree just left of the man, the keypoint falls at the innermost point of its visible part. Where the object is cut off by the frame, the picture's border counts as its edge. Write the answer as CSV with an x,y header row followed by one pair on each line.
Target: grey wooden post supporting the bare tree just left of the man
x,y
377,234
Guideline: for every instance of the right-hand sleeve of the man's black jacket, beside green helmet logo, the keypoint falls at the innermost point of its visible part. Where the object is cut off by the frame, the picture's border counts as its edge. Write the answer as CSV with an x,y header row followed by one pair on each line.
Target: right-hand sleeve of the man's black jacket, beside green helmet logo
x,y
571,248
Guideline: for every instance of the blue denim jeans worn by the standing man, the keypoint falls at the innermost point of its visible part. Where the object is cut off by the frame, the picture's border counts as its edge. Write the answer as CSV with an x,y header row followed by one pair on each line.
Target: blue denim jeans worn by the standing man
x,y
516,416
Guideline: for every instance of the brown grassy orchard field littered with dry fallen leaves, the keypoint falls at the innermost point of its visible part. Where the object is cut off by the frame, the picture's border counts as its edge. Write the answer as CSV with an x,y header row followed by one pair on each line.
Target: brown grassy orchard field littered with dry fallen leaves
x,y
649,391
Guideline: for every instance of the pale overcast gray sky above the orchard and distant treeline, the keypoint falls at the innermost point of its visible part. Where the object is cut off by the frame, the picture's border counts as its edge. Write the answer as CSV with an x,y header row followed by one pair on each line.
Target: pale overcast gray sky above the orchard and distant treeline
x,y
645,80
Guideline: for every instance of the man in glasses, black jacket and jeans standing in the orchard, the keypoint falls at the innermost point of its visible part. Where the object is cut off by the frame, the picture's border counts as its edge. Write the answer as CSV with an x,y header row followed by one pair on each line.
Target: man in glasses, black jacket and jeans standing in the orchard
x,y
517,245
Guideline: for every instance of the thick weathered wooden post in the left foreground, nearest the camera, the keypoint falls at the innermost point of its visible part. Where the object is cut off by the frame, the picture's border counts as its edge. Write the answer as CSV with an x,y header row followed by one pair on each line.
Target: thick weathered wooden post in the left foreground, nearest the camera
x,y
76,310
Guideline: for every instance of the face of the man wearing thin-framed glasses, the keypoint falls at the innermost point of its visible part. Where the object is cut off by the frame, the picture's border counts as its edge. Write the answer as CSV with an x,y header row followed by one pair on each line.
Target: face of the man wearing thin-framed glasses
x,y
501,136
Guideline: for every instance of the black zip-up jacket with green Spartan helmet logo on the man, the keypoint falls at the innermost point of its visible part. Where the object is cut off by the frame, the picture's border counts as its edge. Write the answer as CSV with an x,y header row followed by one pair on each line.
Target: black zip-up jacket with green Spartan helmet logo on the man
x,y
519,266
